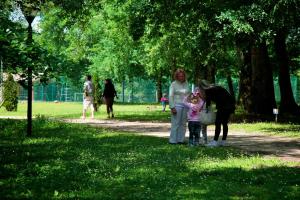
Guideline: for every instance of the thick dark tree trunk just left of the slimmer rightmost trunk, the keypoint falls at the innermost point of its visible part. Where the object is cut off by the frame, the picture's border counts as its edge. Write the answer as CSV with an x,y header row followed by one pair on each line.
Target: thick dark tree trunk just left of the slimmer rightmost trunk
x,y
262,86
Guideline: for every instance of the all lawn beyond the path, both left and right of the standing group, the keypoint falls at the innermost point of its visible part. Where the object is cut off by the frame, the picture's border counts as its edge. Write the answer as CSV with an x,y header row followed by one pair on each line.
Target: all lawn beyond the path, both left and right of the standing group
x,y
144,113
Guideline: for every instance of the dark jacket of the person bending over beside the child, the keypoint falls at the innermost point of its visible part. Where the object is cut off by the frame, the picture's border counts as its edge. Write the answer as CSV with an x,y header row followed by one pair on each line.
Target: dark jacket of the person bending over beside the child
x,y
221,97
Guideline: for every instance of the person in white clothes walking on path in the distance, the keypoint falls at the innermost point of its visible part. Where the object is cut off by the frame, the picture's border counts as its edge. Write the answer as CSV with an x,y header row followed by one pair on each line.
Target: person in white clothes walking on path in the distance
x,y
88,99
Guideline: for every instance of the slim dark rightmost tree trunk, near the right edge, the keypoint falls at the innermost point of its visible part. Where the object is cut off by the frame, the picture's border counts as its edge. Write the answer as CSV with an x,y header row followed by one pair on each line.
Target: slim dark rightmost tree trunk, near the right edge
x,y
287,102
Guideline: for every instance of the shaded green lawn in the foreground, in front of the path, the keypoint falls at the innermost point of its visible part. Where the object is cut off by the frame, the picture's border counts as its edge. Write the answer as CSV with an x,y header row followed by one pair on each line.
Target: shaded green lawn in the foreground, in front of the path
x,y
69,161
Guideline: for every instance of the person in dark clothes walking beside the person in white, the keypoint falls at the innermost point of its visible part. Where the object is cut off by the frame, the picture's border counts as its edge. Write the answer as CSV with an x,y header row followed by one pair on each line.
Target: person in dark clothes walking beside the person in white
x,y
109,94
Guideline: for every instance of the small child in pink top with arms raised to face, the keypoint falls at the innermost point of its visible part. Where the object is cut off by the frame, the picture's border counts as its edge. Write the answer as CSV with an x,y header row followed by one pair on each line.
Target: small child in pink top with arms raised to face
x,y
194,103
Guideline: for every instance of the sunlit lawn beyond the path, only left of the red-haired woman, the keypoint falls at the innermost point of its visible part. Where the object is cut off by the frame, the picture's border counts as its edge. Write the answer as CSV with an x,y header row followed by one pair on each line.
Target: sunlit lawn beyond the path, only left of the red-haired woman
x,y
141,112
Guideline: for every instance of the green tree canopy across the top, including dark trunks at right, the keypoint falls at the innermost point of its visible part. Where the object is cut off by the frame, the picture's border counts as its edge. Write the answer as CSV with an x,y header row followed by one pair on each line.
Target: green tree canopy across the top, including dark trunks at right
x,y
250,40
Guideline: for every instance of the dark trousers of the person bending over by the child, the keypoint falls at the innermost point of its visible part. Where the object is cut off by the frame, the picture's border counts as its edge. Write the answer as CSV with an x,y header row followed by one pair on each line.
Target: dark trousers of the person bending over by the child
x,y
222,118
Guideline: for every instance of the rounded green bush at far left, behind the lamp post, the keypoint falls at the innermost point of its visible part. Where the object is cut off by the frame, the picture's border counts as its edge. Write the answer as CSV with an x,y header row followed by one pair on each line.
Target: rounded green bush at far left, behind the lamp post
x,y
10,94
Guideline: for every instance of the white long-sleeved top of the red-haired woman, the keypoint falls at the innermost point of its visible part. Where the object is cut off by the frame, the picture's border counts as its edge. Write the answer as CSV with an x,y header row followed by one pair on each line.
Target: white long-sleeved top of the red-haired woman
x,y
178,91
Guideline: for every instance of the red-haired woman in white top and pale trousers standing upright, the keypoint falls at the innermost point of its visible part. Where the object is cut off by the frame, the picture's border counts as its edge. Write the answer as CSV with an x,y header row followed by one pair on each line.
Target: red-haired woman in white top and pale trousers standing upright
x,y
178,91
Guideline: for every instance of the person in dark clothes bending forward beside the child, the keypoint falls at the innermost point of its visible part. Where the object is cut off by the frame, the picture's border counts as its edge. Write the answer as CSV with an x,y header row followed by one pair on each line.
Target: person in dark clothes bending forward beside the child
x,y
225,105
